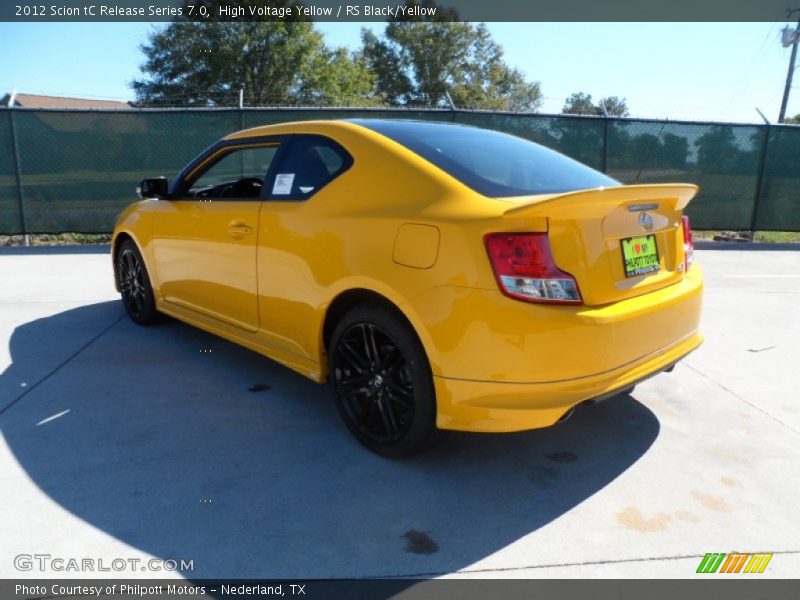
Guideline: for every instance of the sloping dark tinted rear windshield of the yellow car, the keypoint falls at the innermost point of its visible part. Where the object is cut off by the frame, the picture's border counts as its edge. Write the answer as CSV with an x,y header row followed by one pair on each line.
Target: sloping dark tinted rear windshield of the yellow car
x,y
491,163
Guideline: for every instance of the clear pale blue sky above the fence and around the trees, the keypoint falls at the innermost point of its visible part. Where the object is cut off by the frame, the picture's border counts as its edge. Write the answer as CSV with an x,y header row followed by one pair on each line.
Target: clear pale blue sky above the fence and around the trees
x,y
693,71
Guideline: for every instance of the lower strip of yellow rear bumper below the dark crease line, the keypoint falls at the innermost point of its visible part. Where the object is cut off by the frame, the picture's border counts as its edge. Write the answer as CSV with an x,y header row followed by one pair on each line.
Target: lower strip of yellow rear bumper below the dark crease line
x,y
493,406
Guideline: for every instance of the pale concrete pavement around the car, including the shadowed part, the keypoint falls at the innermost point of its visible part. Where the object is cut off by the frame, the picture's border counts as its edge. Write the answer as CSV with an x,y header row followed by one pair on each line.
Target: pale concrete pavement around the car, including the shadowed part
x,y
134,443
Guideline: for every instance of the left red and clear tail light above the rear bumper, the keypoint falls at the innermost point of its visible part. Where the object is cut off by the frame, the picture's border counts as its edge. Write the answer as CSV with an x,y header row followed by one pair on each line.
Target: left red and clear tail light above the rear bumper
x,y
524,268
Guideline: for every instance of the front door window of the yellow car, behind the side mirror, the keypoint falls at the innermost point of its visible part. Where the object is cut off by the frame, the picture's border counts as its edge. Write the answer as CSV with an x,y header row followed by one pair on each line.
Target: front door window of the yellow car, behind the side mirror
x,y
238,174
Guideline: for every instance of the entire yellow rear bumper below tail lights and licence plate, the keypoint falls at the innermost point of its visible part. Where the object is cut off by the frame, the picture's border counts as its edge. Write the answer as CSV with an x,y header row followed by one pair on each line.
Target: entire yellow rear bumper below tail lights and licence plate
x,y
522,366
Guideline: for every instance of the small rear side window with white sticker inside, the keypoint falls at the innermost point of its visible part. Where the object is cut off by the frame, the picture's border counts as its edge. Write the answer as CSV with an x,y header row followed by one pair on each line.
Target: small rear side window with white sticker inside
x,y
310,163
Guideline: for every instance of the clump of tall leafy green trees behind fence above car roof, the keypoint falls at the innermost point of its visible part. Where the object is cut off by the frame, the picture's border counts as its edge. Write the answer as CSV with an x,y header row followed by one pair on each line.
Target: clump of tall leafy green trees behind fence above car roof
x,y
201,63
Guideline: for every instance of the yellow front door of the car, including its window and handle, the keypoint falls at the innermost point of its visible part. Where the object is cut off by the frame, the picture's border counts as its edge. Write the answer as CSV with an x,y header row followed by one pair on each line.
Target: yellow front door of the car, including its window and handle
x,y
205,237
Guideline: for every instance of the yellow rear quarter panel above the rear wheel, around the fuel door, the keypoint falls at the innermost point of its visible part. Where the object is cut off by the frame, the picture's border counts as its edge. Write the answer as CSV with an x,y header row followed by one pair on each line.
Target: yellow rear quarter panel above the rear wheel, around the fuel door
x,y
345,236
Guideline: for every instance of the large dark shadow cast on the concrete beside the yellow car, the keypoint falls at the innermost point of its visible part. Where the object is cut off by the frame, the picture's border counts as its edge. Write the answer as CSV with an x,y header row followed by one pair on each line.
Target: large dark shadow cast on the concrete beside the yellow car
x,y
189,447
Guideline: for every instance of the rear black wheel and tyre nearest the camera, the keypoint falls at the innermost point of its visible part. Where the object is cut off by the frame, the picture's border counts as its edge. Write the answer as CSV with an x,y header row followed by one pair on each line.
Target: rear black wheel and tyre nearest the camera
x,y
382,382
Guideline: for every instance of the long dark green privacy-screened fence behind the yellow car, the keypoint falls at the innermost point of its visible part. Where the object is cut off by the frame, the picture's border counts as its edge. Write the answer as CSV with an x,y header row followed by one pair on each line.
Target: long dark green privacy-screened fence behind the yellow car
x,y
73,171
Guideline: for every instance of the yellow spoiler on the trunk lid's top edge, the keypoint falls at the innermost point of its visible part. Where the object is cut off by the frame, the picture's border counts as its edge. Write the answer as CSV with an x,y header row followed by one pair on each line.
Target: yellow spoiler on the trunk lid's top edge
x,y
598,202
